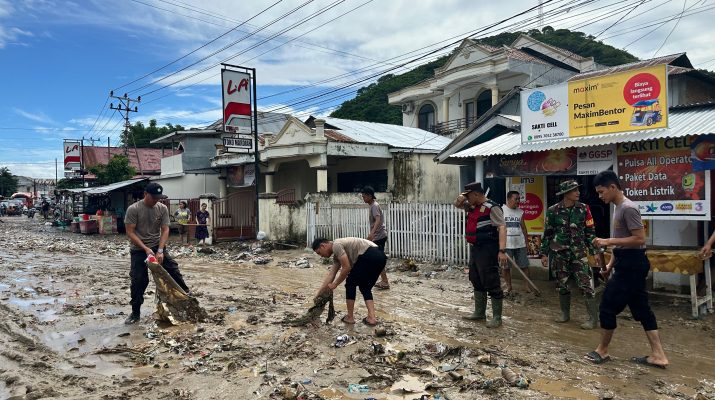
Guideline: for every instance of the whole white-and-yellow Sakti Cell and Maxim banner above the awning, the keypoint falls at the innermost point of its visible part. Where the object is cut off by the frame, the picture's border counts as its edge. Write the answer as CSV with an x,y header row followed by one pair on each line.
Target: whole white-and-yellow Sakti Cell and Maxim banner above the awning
x,y
622,102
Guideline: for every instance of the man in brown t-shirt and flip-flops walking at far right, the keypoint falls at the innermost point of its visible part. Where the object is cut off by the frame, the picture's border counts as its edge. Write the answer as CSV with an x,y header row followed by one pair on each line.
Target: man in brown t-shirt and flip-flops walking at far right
x,y
630,266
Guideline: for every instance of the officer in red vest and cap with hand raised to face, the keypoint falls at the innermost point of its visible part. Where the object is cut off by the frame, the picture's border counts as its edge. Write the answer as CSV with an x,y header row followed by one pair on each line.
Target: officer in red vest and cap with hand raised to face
x,y
486,234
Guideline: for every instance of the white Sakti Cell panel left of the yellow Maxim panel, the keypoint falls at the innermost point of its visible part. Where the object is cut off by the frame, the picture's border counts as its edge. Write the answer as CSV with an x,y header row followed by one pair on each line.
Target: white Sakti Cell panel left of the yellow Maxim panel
x,y
545,113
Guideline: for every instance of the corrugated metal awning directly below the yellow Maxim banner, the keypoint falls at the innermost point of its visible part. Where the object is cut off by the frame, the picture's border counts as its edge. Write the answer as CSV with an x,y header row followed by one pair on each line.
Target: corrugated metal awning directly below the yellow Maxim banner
x,y
683,122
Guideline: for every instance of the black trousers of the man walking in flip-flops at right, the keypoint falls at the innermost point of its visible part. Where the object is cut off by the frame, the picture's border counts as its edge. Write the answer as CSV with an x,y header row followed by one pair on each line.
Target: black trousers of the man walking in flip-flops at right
x,y
627,287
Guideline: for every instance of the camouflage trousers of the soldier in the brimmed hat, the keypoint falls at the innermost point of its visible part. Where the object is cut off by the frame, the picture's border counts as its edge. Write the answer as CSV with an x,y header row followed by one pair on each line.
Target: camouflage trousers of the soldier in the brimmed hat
x,y
566,264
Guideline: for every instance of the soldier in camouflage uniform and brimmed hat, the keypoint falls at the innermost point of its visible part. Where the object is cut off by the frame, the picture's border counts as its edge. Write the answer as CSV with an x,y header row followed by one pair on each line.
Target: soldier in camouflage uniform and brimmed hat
x,y
568,242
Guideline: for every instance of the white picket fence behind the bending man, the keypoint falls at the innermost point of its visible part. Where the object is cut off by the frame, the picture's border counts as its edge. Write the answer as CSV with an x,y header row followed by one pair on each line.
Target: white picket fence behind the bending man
x,y
424,232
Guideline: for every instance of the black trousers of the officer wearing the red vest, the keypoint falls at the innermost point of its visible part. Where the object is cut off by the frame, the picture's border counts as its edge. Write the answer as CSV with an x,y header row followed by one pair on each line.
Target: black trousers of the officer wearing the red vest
x,y
484,268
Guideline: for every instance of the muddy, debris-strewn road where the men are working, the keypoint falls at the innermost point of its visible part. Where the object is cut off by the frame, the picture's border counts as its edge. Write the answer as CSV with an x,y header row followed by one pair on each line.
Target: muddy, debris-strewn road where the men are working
x,y
64,297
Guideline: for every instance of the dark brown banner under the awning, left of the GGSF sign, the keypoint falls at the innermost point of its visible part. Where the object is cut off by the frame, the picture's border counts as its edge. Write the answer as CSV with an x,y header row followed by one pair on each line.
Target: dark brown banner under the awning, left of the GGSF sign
x,y
553,162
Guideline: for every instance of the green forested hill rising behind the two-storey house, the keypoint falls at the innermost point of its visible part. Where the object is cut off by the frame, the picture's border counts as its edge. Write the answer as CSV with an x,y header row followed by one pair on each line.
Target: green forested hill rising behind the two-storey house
x,y
370,104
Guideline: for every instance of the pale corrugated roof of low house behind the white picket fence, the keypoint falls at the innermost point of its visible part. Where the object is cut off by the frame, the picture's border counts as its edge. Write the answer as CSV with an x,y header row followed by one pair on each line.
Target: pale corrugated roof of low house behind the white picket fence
x,y
392,135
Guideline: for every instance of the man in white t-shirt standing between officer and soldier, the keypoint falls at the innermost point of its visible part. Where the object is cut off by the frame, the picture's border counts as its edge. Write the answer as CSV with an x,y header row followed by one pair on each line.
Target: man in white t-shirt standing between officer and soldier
x,y
516,237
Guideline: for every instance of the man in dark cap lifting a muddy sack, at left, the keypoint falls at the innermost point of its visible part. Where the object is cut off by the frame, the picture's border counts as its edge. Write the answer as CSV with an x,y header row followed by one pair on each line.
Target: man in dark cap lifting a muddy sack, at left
x,y
147,225
